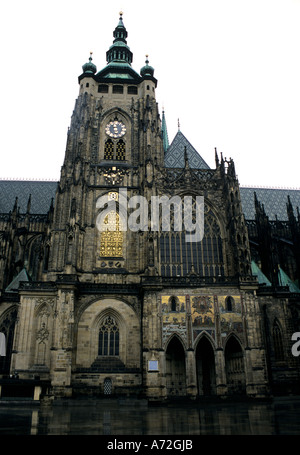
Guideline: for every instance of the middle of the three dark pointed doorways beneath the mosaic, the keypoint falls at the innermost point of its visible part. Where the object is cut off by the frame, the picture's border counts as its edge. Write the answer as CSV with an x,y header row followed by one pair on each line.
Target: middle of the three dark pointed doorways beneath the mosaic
x,y
205,367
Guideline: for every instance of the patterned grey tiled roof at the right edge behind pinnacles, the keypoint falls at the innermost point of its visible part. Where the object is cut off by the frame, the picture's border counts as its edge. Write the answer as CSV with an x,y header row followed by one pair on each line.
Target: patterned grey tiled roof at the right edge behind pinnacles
x,y
273,199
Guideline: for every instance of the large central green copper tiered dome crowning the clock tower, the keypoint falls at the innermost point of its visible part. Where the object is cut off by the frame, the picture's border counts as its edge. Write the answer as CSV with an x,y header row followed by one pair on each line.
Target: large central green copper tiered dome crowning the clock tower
x,y
119,58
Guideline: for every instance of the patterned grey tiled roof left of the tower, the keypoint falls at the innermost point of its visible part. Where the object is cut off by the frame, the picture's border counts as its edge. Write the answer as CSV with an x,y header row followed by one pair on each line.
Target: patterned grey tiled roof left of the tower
x,y
41,194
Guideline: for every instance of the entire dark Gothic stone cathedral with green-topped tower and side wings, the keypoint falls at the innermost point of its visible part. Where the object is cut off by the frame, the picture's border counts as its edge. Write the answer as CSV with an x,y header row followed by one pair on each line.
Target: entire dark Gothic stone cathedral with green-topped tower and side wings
x,y
99,297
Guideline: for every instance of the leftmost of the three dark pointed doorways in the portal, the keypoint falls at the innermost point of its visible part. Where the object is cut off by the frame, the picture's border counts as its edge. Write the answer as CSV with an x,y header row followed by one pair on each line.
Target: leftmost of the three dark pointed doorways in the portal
x,y
175,368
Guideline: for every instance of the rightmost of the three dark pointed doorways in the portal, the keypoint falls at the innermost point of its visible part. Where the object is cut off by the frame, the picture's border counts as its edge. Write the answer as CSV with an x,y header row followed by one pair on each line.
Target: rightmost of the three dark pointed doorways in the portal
x,y
234,364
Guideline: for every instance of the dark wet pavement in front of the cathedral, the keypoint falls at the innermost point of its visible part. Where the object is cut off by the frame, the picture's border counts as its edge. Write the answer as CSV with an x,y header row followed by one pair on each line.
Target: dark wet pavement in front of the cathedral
x,y
110,417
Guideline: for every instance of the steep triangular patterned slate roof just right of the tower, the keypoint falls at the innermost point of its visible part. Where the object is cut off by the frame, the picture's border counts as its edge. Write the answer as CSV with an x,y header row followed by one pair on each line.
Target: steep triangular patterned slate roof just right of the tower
x,y
174,156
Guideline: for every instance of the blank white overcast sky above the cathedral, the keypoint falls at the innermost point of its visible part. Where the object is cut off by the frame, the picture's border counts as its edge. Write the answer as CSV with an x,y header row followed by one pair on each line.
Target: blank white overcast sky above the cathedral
x,y
228,69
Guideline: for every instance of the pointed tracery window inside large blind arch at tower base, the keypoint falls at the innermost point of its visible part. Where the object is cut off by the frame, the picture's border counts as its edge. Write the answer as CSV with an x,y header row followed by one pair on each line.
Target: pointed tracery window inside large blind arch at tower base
x,y
109,338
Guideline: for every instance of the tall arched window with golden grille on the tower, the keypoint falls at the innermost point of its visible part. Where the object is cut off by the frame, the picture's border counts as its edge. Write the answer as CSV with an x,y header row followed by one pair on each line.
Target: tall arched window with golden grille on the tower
x,y
111,236
